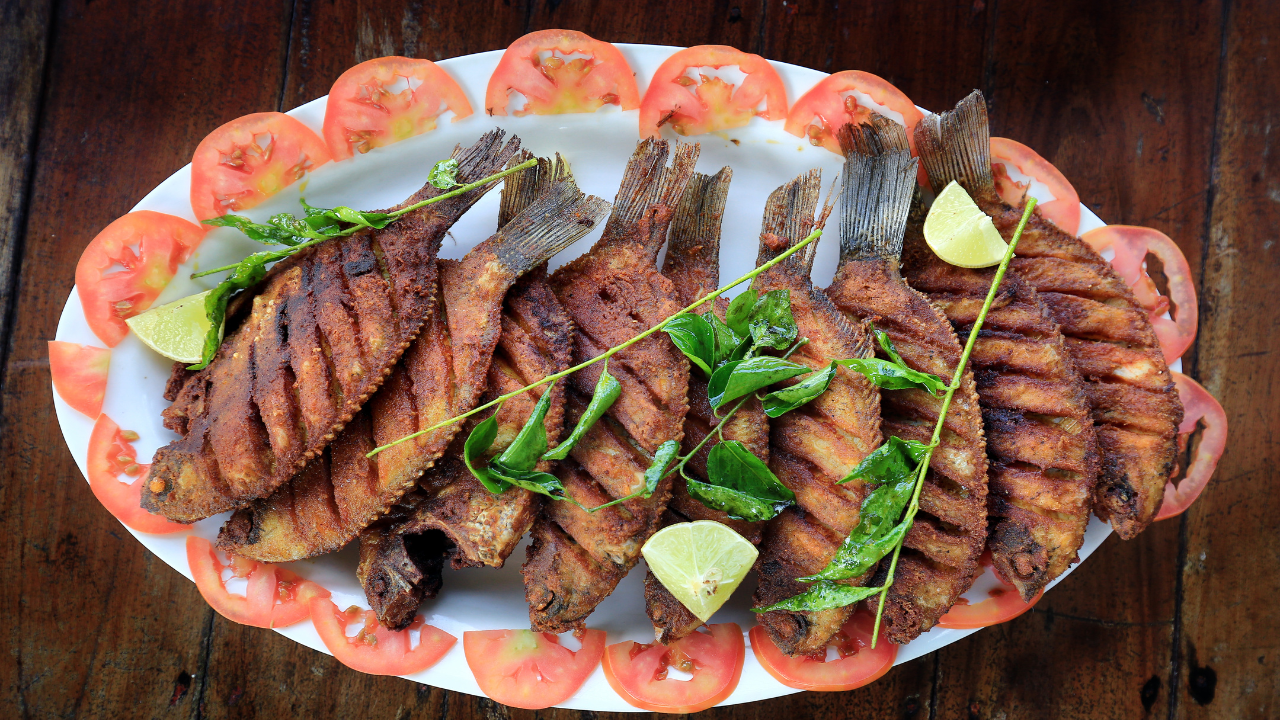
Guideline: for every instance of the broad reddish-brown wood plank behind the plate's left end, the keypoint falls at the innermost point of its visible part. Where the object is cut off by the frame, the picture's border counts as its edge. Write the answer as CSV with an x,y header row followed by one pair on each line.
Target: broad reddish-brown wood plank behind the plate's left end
x,y
98,626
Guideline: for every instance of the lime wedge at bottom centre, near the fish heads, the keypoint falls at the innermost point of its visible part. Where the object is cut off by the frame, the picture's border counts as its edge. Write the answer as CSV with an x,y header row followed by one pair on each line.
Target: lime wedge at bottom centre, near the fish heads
x,y
701,563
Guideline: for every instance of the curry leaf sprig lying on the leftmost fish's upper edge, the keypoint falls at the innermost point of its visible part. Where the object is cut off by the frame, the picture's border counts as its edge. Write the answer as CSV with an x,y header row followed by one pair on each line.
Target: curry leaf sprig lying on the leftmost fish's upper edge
x,y
317,225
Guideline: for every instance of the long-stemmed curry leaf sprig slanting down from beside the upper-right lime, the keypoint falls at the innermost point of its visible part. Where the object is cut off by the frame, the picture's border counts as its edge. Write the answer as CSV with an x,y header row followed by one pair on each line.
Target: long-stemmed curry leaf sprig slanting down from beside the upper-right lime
x,y
898,471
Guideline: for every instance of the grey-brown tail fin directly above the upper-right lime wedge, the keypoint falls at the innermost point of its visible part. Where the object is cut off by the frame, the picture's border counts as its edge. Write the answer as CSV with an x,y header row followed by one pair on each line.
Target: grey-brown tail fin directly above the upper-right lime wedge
x,y
957,147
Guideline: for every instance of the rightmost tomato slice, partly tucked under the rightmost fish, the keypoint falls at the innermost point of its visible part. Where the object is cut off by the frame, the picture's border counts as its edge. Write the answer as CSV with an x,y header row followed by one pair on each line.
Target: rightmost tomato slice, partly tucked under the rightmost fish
x,y
1201,409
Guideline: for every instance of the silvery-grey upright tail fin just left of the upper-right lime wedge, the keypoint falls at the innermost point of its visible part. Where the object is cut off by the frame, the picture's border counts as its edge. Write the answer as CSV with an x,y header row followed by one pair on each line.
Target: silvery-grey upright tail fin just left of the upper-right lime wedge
x,y
876,200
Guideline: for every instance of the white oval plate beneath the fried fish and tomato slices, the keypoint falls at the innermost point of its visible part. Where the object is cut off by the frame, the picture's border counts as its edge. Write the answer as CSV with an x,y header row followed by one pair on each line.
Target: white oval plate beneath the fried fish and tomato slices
x,y
597,147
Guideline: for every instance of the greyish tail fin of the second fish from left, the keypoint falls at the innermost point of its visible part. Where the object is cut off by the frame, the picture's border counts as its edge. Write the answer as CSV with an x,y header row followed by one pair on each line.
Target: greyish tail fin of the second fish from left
x,y
556,220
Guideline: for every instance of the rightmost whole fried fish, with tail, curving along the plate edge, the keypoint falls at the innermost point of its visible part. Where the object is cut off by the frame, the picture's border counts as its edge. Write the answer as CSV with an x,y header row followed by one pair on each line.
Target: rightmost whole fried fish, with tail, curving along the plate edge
x,y
1108,334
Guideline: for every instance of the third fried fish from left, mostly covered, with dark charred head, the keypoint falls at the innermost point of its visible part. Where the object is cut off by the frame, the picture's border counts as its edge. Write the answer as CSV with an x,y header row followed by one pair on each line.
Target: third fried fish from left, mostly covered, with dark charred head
x,y
451,516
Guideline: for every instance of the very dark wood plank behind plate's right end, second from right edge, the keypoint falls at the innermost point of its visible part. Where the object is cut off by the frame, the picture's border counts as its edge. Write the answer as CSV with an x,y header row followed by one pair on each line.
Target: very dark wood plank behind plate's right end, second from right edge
x,y
1094,88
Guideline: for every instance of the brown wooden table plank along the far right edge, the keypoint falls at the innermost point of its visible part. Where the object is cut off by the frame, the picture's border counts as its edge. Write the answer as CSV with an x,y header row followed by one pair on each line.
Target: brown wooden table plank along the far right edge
x,y
1228,646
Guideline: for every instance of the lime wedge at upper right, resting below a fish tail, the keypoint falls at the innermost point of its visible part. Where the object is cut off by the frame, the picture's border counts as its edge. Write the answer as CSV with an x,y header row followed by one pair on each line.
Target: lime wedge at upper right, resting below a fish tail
x,y
961,233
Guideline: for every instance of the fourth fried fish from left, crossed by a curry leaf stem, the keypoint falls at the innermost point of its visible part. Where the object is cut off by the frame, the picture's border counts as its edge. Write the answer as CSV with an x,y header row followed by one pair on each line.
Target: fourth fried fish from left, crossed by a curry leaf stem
x,y
614,294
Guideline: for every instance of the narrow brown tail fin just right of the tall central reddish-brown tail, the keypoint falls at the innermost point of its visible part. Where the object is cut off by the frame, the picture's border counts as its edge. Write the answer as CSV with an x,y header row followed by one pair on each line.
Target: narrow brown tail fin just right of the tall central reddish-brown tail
x,y
696,229
